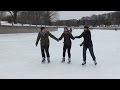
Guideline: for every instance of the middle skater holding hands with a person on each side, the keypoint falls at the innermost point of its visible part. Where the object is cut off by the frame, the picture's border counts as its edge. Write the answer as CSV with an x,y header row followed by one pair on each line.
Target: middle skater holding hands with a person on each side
x,y
67,43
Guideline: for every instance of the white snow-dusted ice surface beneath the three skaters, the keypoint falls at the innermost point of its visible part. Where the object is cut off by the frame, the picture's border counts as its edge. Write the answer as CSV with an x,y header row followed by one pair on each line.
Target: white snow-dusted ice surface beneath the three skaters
x,y
20,58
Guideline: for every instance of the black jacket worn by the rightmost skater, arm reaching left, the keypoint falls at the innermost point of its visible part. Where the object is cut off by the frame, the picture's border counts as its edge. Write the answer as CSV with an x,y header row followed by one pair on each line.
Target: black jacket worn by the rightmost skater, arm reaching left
x,y
87,38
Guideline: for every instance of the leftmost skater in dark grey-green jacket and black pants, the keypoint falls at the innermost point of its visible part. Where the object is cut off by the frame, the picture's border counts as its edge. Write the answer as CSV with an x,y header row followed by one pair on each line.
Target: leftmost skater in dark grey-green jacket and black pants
x,y
43,36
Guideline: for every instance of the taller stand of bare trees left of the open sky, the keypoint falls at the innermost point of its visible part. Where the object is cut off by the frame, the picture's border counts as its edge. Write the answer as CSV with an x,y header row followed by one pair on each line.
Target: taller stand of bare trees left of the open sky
x,y
30,17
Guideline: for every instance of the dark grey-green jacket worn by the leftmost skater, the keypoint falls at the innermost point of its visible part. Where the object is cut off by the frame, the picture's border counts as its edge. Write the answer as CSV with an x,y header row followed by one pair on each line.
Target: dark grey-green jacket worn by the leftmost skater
x,y
44,38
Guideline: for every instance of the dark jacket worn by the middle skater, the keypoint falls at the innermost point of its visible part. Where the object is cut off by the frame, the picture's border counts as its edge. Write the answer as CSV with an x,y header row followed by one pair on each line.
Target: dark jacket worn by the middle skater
x,y
67,38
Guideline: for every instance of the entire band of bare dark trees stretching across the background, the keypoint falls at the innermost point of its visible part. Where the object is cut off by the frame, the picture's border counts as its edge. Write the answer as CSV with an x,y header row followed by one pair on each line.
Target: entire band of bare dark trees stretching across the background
x,y
52,18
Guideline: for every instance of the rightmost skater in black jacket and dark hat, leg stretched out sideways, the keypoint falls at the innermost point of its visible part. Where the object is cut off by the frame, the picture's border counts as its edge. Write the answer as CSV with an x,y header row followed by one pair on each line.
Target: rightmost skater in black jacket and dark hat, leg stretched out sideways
x,y
87,43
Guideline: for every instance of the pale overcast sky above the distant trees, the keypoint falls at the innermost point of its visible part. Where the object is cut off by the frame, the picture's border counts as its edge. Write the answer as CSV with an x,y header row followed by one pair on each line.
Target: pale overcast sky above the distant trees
x,y
65,15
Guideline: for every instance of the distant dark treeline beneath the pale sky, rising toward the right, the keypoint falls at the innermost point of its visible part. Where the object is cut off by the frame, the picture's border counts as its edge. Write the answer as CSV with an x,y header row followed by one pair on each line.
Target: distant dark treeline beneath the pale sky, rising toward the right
x,y
94,20
